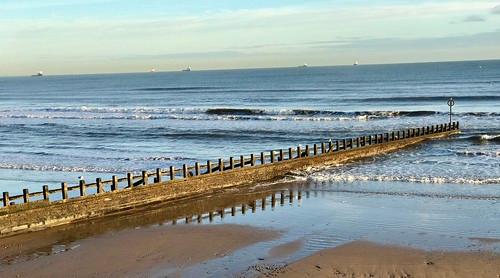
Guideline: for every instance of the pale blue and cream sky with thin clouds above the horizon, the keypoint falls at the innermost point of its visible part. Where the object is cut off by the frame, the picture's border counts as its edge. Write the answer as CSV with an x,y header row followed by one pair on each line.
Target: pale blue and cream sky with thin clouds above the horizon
x,y
104,36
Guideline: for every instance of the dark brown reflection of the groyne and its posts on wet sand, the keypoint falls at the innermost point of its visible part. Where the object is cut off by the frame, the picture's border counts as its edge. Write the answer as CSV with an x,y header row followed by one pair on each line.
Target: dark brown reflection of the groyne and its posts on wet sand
x,y
231,202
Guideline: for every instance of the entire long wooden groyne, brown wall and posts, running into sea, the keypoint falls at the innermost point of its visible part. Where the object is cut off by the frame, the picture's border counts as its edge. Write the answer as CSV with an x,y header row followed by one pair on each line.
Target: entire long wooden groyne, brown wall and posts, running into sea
x,y
35,210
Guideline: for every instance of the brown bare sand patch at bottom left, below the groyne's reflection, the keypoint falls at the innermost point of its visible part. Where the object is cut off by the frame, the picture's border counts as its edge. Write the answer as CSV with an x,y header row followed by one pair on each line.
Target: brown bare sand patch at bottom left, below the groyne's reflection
x,y
141,252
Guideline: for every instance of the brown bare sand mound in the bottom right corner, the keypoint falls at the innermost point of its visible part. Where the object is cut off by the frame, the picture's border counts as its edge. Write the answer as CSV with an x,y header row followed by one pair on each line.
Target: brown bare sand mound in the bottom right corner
x,y
366,259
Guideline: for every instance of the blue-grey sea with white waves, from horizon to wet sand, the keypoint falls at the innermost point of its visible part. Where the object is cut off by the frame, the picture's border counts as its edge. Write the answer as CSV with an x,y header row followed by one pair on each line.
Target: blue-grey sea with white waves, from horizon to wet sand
x,y
56,128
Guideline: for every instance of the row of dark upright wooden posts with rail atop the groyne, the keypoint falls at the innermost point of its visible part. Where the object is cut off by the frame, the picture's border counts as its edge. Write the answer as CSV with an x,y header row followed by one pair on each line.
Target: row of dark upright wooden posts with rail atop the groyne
x,y
131,181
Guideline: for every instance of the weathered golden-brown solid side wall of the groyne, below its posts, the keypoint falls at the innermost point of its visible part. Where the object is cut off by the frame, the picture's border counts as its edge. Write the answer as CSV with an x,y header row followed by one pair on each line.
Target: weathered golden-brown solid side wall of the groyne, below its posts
x,y
40,215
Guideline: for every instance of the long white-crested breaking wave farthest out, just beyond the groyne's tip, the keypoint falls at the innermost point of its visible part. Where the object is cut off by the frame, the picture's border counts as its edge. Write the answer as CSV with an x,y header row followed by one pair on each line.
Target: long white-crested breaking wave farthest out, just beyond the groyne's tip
x,y
158,113
